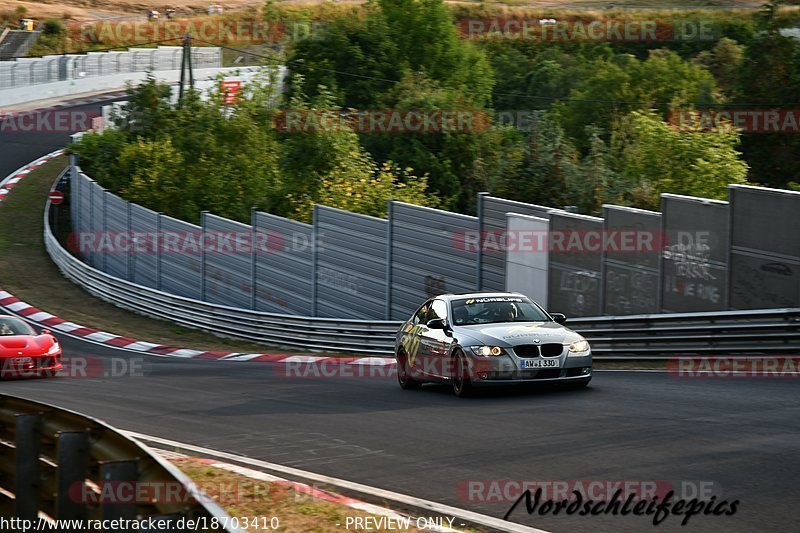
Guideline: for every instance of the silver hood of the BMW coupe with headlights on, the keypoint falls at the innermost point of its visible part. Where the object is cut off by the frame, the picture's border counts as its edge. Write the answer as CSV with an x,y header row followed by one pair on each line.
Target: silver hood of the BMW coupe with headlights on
x,y
515,333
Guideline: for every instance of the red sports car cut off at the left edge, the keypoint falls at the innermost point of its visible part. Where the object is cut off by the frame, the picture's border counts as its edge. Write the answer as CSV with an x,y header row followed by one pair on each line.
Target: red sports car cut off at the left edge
x,y
25,353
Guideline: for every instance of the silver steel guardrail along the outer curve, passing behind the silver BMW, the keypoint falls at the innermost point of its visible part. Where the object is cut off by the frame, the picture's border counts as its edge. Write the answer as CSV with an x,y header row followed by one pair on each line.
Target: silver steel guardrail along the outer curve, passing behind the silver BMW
x,y
640,336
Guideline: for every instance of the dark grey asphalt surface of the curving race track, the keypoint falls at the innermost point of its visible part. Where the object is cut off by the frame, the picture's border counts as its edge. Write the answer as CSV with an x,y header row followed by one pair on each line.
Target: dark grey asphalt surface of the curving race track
x,y
742,435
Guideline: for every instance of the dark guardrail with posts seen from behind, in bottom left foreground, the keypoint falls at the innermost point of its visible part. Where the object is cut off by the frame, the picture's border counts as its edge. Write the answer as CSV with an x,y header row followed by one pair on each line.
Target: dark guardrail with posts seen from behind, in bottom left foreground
x,y
55,462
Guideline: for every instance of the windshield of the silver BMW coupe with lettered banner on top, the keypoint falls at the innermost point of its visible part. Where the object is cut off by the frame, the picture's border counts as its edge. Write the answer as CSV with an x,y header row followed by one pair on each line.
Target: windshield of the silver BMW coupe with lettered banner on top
x,y
492,309
